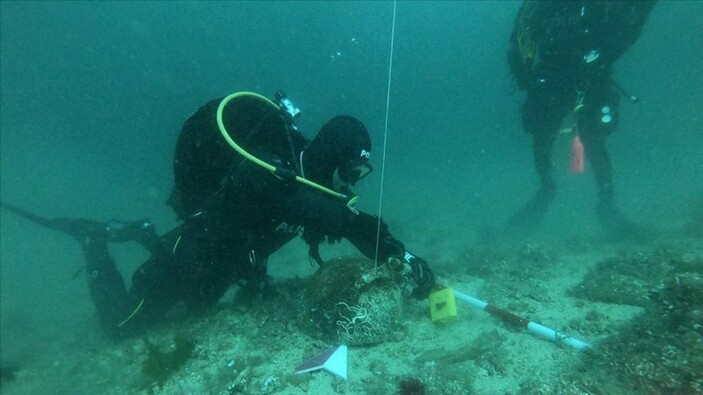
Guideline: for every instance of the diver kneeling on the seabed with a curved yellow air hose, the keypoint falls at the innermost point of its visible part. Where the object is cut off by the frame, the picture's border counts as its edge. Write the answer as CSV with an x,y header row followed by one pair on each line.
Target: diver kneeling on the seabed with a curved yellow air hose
x,y
237,209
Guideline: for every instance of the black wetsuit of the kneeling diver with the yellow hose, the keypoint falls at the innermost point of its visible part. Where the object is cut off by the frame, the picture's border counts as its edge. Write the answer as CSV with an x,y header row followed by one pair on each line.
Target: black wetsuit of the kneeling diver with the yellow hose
x,y
240,214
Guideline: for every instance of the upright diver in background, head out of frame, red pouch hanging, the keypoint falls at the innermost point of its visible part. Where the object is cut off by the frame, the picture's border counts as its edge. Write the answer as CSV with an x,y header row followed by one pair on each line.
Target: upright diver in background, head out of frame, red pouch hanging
x,y
562,53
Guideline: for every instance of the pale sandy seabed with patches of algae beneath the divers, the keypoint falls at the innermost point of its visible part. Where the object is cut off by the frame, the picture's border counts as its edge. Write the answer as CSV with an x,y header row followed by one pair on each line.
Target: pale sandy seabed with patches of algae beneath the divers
x,y
637,305
